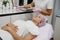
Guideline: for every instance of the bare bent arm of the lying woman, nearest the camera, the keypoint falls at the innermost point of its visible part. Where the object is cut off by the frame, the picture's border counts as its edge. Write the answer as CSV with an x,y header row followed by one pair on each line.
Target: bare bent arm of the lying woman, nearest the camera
x,y
17,37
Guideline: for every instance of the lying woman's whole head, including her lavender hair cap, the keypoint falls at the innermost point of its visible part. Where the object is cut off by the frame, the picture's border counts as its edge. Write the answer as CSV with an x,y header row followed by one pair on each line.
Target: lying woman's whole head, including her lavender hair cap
x,y
38,19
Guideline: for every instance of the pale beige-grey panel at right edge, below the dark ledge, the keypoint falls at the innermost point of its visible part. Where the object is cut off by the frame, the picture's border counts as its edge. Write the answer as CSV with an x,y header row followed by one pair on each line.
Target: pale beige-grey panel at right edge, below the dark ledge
x,y
57,29
